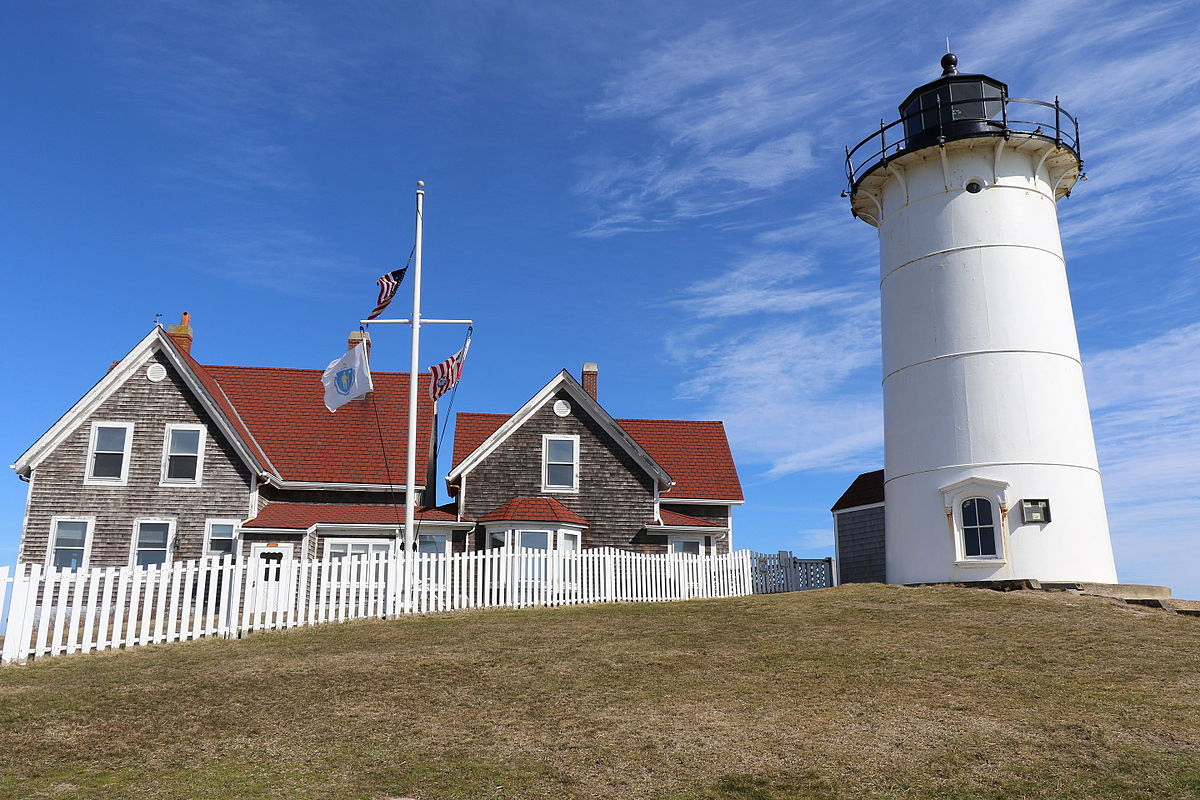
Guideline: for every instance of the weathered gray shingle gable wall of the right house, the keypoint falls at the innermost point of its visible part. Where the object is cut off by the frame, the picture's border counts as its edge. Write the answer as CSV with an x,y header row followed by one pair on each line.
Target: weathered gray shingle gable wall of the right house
x,y
616,495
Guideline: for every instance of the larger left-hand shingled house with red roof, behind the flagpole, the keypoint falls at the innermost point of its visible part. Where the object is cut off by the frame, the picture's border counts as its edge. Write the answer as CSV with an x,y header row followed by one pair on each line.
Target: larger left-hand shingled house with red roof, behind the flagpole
x,y
166,459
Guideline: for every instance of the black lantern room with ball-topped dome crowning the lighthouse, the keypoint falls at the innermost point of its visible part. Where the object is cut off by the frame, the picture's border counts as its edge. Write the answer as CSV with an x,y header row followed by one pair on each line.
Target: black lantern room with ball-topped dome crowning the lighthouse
x,y
953,107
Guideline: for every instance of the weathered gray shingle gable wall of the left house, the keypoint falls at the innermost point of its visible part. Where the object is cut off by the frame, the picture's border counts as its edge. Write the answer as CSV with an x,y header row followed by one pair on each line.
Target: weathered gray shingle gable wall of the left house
x,y
58,483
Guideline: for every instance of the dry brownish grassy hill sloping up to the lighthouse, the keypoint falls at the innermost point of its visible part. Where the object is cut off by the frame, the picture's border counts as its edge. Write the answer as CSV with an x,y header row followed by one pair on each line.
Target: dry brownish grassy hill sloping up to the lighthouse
x,y
854,693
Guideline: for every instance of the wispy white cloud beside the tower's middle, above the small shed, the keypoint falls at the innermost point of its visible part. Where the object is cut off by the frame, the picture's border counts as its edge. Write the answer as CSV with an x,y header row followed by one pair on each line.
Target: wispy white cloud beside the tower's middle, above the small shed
x,y
790,390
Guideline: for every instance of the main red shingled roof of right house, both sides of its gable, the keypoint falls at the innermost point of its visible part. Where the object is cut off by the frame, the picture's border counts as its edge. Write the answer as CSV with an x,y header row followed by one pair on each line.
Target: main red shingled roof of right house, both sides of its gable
x,y
695,454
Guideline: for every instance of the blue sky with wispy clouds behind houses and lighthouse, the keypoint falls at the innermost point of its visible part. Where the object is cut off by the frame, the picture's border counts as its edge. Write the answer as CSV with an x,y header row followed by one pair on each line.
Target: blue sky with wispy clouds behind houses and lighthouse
x,y
651,187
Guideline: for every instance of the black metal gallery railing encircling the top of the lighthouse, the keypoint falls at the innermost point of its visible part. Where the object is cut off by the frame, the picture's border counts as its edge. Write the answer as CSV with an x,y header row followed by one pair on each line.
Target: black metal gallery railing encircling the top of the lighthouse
x,y
1049,122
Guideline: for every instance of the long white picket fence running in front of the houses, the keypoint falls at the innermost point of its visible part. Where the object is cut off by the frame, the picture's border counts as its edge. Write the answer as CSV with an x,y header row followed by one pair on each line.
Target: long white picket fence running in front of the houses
x,y
57,612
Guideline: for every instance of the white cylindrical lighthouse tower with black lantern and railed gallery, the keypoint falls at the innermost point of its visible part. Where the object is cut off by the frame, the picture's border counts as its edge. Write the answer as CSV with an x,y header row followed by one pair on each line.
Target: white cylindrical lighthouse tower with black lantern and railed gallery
x,y
991,467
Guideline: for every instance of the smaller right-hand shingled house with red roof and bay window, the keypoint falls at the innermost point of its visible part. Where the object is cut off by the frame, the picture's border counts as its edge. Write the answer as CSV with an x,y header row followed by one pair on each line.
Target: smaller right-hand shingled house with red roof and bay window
x,y
562,474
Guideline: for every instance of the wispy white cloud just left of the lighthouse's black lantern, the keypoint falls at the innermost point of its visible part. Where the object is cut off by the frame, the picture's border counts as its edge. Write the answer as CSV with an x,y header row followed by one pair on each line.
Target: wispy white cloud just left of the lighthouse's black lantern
x,y
727,119
